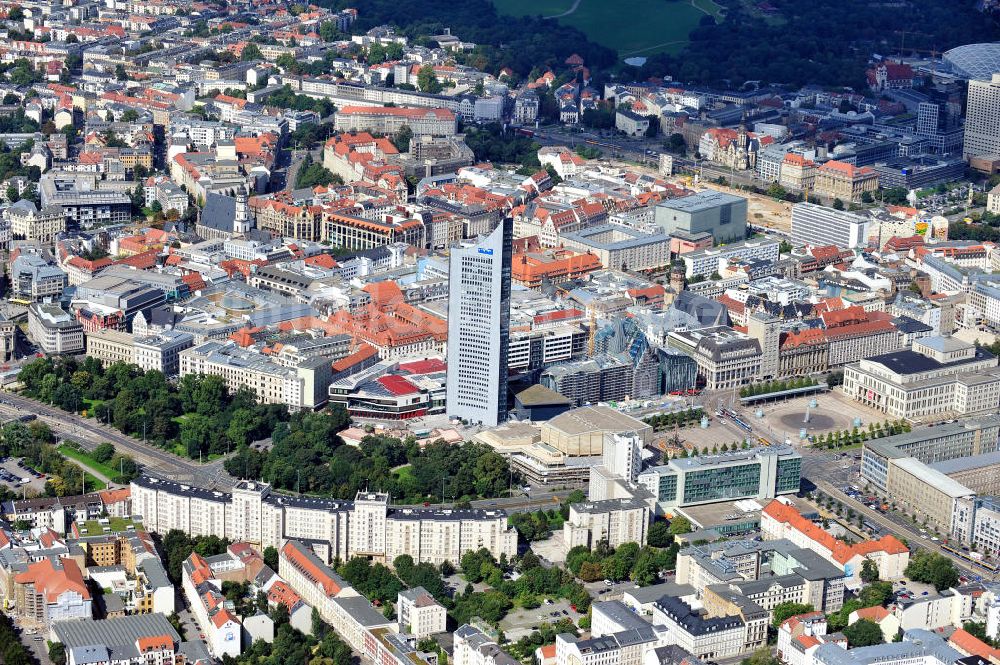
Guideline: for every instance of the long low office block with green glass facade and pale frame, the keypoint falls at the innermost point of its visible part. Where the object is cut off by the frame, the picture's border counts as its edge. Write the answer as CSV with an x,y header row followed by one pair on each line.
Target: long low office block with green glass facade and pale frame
x,y
758,473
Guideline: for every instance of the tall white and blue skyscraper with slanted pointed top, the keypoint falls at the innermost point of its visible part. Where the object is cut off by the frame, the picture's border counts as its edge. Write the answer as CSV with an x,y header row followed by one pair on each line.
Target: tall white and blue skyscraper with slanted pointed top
x,y
479,327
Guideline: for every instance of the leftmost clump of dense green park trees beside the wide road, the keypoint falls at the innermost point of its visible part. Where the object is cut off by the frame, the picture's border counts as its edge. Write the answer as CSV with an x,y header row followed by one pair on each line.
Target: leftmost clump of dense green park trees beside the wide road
x,y
197,414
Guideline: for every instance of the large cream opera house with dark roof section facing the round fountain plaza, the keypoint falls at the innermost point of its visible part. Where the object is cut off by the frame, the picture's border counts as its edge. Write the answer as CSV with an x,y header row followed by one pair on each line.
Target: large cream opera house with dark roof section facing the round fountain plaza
x,y
940,376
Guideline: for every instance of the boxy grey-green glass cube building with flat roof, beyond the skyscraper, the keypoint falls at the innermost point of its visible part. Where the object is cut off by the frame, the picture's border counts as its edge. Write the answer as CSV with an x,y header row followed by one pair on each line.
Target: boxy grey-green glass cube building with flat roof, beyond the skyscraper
x,y
722,215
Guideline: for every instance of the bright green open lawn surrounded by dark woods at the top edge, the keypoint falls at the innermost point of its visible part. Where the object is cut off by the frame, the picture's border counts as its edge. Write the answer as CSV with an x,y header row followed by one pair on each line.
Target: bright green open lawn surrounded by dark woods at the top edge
x,y
664,25
